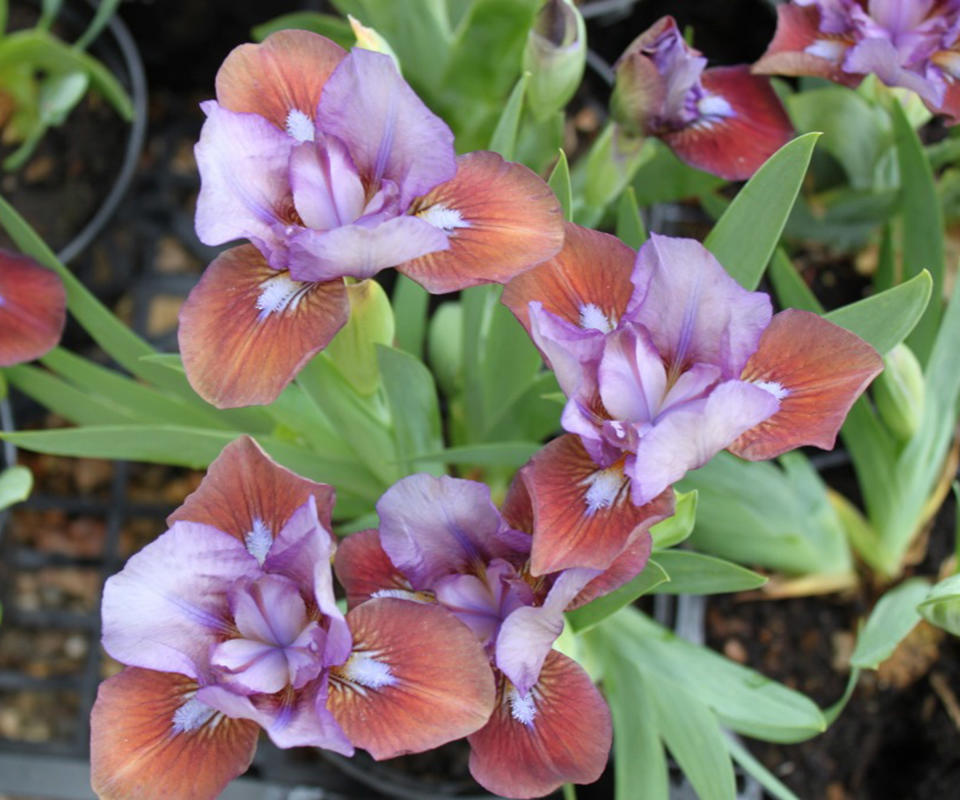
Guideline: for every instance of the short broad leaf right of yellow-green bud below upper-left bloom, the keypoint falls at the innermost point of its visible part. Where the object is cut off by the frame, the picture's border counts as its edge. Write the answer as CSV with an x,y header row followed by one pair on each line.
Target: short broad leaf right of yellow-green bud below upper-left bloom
x,y
412,397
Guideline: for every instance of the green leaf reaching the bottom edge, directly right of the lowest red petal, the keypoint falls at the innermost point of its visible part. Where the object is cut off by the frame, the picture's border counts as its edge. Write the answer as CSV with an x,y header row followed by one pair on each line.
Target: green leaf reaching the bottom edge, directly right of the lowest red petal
x,y
640,767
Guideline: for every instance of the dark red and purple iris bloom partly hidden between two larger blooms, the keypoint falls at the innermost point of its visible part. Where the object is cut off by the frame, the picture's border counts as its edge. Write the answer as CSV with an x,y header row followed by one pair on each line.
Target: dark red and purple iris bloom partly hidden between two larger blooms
x,y
443,542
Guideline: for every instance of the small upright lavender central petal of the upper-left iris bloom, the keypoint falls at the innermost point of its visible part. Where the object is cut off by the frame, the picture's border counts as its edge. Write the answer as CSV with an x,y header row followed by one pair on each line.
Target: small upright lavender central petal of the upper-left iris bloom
x,y
327,191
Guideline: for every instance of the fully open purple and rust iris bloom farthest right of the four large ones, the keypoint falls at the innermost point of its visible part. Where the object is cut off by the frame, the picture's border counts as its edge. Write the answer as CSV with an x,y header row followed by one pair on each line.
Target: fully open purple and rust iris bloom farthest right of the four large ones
x,y
665,360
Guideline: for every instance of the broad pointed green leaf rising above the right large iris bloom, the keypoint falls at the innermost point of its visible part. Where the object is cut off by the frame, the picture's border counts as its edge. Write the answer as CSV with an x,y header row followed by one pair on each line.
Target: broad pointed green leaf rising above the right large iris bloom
x,y
744,238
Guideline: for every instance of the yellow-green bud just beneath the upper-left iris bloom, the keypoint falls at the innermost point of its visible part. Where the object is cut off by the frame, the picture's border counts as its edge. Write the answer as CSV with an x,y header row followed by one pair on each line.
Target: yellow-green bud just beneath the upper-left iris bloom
x,y
353,350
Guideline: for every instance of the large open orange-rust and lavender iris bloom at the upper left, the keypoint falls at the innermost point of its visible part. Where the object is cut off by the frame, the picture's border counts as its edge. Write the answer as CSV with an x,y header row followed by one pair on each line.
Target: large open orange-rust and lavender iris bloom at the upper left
x,y
330,166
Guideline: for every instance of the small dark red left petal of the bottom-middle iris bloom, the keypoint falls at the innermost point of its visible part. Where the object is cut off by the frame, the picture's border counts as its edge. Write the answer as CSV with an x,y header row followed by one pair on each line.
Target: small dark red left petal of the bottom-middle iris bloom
x,y
365,571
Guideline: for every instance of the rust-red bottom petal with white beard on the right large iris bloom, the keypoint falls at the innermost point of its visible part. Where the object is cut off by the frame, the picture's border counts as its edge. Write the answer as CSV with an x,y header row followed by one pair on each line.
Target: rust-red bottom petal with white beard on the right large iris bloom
x,y
583,513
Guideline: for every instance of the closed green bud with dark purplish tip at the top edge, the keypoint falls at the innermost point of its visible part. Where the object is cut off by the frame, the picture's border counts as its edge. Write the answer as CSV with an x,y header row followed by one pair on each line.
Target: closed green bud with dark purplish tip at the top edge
x,y
555,57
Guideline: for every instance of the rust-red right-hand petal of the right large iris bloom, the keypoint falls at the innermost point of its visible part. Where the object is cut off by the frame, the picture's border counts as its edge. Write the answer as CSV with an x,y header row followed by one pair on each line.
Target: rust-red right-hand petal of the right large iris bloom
x,y
817,370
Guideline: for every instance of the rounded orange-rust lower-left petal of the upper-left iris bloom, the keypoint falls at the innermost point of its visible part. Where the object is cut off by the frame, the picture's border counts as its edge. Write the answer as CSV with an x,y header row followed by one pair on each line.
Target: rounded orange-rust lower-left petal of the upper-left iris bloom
x,y
246,330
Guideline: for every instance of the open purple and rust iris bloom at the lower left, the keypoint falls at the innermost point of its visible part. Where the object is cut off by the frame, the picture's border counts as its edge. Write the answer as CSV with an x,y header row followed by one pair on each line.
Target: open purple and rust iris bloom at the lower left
x,y
227,624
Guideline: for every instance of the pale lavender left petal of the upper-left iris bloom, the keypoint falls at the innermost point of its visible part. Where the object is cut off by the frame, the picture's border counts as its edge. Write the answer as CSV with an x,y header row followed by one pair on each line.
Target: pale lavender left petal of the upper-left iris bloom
x,y
243,161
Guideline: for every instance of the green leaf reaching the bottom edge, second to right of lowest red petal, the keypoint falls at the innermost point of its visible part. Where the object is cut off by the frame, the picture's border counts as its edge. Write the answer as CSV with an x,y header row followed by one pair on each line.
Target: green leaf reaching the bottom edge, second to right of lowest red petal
x,y
690,731
